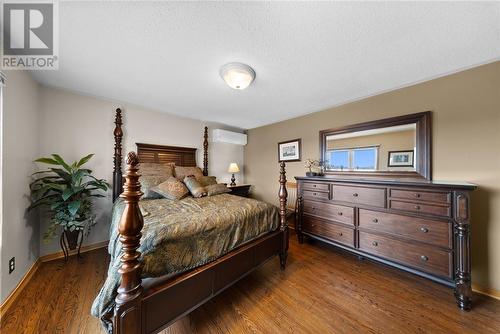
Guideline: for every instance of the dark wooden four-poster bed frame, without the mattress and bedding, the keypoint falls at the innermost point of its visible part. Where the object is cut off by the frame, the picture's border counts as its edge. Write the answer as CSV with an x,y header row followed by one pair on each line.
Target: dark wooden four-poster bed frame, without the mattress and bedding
x,y
153,304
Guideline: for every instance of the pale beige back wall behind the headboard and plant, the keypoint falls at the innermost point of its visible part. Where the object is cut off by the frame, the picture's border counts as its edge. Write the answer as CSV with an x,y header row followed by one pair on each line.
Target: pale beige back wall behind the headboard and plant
x,y
74,125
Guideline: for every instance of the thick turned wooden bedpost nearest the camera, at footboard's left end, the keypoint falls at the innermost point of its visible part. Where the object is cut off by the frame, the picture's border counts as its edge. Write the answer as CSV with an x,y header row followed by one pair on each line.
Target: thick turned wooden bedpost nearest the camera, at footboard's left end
x,y
127,316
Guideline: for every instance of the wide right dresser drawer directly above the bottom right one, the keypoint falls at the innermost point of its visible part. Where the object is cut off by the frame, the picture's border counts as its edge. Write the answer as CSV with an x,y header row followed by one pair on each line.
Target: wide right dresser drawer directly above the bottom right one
x,y
433,232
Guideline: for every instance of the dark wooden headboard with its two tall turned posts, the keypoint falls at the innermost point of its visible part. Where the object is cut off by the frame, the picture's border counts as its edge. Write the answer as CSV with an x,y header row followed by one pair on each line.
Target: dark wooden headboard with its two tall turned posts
x,y
181,156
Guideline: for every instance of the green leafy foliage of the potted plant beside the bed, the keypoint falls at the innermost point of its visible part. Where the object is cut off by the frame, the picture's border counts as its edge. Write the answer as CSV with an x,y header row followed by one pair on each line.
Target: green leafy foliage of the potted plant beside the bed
x,y
66,191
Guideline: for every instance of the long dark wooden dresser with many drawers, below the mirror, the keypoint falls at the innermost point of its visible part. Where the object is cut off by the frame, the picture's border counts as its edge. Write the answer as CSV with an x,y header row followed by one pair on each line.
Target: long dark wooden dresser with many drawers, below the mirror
x,y
419,226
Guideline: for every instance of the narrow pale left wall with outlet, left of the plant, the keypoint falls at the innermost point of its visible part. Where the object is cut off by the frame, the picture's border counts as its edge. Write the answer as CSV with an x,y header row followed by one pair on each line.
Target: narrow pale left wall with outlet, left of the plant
x,y
20,132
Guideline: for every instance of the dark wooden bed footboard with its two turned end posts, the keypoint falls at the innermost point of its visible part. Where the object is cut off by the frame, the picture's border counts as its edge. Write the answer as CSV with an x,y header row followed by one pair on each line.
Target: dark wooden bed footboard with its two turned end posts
x,y
131,314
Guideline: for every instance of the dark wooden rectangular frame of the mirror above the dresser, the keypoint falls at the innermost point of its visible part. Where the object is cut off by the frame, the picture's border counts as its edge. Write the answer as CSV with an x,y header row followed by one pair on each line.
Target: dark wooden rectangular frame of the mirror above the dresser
x,y
423,153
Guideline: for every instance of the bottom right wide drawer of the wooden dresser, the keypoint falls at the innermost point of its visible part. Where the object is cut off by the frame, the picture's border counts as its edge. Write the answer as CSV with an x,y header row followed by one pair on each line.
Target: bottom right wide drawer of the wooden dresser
x,y
426,258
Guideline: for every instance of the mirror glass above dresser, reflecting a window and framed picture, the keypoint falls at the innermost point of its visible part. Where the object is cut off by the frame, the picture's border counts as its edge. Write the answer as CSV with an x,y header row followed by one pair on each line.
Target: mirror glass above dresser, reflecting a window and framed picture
x,y
384,149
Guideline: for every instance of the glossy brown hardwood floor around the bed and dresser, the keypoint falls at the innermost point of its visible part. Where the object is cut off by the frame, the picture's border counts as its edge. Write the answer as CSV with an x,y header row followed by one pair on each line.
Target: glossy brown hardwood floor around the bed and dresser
x,y
321,291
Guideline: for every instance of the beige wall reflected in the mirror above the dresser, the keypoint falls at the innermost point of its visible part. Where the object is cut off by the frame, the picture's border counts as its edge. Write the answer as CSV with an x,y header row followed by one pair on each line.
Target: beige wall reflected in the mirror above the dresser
x,y
386,142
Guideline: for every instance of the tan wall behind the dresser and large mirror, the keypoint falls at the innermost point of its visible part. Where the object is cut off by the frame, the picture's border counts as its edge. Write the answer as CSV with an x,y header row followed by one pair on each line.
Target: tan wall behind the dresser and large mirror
x,y
466,147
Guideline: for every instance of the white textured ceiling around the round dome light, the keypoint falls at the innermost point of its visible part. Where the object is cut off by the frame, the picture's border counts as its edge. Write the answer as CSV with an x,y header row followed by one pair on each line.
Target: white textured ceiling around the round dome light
x,y
308,56
